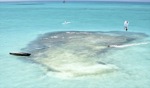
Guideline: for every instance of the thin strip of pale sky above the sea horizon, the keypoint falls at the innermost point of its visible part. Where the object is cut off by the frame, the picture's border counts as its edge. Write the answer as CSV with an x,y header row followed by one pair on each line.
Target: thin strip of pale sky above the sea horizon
x,y
81,0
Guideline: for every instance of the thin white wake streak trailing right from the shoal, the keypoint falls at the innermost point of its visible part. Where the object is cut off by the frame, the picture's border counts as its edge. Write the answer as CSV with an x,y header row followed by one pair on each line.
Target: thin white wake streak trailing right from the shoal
x,y
128,45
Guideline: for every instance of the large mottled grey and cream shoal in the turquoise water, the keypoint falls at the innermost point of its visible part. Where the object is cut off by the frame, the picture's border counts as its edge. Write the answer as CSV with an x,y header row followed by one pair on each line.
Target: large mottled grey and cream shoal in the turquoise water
x,y
77,53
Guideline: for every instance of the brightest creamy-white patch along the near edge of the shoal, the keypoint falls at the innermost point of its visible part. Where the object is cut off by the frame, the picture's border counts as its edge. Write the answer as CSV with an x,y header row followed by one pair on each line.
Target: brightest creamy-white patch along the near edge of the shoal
x,y
69,70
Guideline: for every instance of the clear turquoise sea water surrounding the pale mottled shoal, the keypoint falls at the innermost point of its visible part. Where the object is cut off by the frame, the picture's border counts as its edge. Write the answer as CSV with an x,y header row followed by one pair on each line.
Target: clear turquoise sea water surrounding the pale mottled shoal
x,y
23,22
